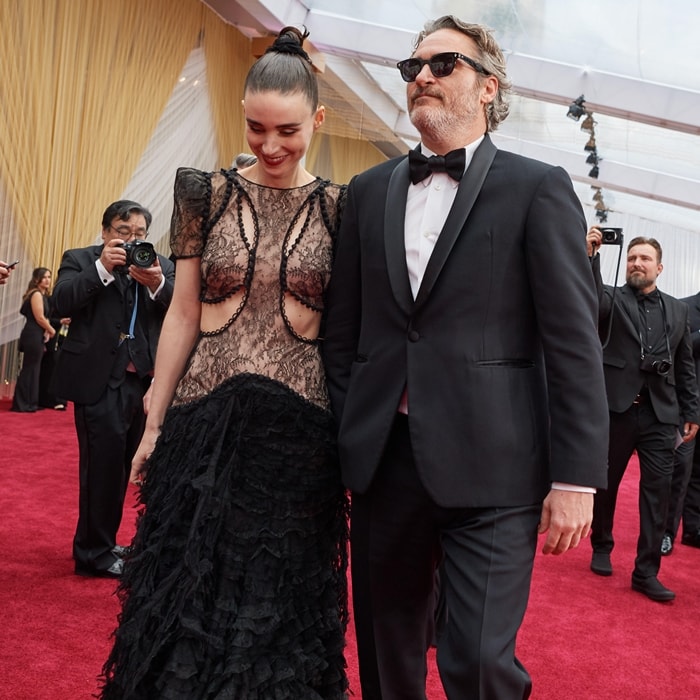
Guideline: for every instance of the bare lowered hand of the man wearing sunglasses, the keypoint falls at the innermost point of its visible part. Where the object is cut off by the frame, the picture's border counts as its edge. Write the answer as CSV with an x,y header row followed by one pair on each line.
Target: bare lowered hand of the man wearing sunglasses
x,y
566,518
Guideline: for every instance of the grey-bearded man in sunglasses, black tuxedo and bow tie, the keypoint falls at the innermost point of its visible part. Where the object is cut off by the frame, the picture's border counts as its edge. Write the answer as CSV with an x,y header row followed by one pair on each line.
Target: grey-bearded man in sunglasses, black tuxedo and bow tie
x,y
465,371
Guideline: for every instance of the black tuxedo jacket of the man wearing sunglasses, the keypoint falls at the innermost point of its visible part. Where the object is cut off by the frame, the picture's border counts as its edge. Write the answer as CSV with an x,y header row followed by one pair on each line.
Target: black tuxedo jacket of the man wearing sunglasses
x,y
499,351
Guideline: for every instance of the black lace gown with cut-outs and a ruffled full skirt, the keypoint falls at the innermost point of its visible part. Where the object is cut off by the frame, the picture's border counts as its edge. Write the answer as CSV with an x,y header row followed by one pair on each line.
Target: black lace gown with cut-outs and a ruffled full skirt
x,y
236,585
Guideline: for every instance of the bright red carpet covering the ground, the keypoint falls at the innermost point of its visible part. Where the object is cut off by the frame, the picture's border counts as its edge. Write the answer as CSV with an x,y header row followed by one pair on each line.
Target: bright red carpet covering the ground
x,y
584,637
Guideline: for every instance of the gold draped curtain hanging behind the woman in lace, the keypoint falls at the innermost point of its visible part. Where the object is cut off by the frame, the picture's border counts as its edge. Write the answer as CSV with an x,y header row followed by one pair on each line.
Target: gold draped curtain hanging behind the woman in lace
x,y
83,84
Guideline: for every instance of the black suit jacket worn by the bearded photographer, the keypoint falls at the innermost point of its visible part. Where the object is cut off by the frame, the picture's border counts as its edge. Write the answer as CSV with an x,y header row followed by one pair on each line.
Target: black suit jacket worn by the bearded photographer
x,y
674,397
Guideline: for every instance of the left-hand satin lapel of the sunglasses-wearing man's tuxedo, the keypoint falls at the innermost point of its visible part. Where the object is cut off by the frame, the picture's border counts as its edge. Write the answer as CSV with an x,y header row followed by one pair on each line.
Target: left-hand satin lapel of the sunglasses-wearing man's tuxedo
x,y
394,244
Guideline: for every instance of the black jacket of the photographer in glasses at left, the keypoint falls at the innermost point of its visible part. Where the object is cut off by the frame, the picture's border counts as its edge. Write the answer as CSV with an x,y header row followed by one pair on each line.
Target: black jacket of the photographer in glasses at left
x,y
97,312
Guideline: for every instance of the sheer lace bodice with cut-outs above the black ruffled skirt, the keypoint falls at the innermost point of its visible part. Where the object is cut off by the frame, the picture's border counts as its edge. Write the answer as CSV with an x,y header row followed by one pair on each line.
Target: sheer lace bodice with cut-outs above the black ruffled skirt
x,y
266,257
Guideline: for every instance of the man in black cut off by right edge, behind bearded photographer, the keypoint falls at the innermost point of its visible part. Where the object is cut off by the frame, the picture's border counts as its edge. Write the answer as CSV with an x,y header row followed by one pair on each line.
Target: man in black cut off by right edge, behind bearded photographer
x,y
685,486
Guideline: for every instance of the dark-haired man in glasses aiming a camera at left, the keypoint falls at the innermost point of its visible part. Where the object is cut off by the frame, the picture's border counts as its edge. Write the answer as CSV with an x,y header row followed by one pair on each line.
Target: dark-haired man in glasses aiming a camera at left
x,y
104,366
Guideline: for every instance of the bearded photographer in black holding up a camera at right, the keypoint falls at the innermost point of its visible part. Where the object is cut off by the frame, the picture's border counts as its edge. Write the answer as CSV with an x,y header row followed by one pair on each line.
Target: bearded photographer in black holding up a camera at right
x,y
652,396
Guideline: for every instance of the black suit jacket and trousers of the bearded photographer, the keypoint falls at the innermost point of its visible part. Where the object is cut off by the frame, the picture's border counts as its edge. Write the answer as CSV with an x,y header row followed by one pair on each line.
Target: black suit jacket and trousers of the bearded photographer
x,y
647,409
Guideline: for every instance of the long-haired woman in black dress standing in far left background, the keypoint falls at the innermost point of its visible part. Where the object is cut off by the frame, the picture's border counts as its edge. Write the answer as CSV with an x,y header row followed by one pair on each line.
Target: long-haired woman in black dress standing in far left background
x,y
36,332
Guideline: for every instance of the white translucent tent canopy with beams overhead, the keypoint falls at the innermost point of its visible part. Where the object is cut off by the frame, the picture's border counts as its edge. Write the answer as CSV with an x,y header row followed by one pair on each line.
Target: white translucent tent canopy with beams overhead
x,y
635,62
